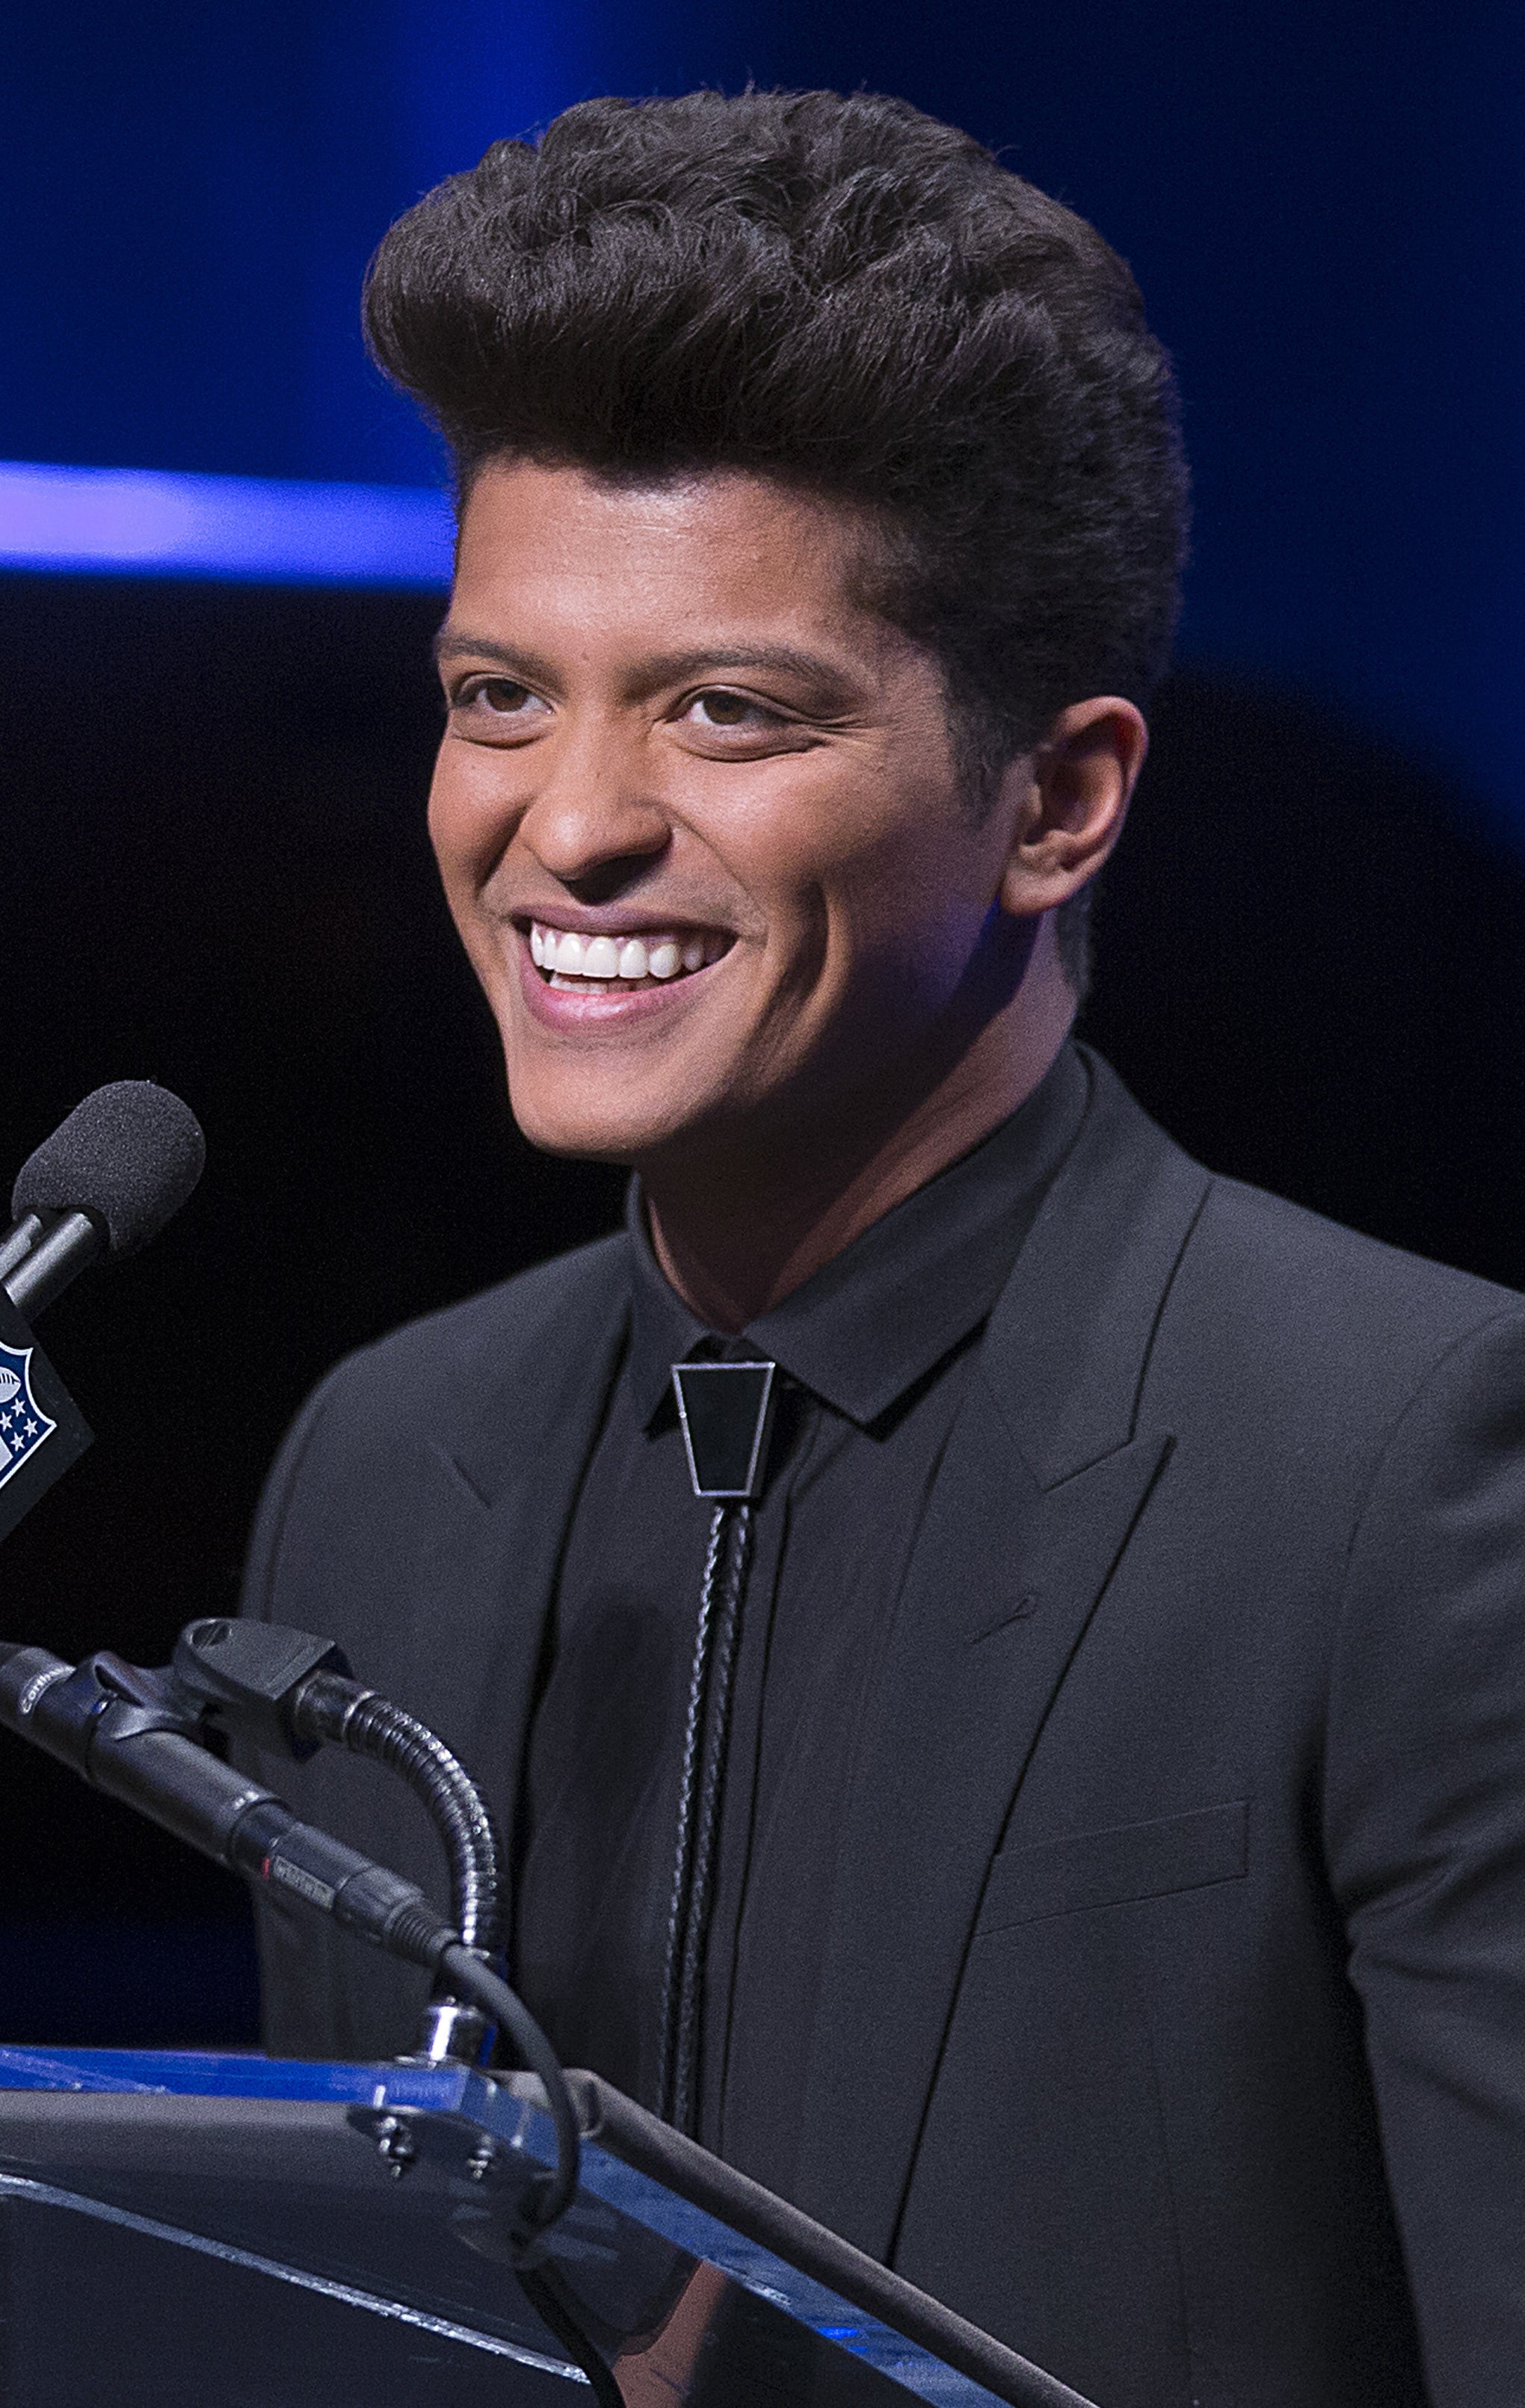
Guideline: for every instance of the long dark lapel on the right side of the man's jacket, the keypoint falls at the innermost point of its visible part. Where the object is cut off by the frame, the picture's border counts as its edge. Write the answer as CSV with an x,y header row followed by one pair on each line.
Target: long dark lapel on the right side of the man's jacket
x,y
1042,1485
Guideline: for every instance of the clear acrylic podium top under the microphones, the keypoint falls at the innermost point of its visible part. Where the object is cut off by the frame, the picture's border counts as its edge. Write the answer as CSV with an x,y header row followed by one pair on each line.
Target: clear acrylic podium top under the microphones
x,y
249,2233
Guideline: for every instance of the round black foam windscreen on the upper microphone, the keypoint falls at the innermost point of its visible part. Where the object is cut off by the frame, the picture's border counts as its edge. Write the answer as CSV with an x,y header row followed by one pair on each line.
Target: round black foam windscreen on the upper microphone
x,y
129,1157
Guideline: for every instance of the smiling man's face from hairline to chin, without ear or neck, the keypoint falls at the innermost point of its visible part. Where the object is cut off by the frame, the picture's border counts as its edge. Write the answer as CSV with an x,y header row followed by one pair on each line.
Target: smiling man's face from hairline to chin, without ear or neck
x,y
697,818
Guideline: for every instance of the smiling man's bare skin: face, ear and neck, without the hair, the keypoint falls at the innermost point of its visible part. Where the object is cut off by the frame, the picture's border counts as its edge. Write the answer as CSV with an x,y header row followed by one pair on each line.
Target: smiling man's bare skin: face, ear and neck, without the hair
x,y
673,728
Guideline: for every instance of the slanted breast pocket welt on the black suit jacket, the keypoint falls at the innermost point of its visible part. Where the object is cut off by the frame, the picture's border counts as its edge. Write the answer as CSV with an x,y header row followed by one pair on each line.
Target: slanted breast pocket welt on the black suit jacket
x,y
1112,1867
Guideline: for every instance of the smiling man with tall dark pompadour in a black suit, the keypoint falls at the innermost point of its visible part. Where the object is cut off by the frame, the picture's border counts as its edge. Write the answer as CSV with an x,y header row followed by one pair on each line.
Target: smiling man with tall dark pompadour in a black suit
x,y
999,1653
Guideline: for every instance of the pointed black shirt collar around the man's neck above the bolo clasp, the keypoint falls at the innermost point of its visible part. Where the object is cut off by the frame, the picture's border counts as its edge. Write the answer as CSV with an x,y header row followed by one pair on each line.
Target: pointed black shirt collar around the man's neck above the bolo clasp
x,y
897,1302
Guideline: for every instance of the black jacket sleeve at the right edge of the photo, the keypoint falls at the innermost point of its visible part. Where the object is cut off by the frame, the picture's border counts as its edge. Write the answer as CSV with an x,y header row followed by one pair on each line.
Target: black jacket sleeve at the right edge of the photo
x,y
1425,1831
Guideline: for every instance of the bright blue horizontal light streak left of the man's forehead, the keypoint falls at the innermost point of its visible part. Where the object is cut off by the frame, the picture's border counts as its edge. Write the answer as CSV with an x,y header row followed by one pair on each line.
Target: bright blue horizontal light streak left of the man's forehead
x,y
146,524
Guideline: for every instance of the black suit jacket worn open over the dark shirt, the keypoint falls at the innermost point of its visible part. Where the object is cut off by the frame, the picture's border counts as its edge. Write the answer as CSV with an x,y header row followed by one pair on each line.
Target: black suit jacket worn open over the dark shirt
x,y
1174,2007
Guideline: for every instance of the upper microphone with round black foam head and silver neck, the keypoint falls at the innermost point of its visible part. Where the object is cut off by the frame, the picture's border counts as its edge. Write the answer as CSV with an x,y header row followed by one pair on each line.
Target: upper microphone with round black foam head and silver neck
x,y
105,1184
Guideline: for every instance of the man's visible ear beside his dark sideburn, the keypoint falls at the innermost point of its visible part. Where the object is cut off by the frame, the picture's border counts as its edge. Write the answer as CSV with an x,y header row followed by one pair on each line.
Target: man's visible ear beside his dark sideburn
x,y
1066,803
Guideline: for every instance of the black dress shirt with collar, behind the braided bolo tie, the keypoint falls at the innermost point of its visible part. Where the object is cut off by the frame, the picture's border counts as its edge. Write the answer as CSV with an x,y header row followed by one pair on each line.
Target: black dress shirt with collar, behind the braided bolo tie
x,y
873,1357
